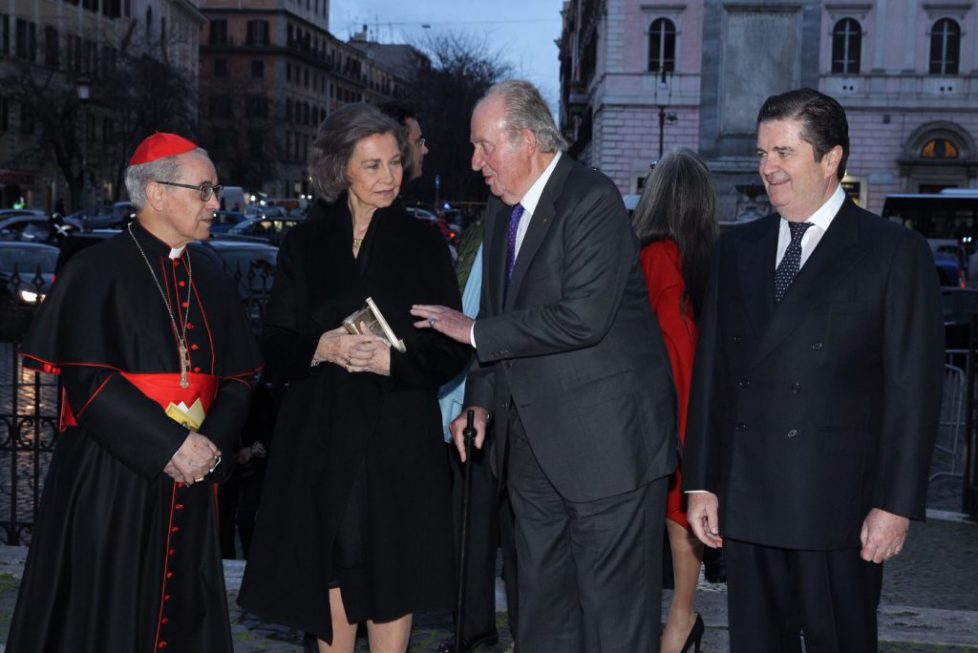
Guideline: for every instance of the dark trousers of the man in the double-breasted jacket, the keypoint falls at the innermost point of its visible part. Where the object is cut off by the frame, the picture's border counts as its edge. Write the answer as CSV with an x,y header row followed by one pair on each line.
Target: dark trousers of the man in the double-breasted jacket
x,y
775,594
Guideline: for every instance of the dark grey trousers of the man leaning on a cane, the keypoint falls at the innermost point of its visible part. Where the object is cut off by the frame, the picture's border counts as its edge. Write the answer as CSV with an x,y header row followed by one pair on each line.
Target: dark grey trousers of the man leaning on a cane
x,y
590,574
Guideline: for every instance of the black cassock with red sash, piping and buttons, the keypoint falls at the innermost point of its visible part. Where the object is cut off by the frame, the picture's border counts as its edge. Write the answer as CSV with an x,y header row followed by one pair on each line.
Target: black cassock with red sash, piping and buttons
x,y
123,559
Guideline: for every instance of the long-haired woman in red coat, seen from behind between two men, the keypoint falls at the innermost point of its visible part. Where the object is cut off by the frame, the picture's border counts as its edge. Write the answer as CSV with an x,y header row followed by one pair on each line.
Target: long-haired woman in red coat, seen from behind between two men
x,y
676,224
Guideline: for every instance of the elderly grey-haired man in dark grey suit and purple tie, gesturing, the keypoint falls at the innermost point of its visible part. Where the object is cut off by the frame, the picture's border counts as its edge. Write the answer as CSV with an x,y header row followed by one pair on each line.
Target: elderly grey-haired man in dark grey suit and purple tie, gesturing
x,y
575,372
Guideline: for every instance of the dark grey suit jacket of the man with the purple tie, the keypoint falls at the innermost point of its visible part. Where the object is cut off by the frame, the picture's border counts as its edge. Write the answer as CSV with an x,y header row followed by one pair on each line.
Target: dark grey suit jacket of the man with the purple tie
x,y
576,346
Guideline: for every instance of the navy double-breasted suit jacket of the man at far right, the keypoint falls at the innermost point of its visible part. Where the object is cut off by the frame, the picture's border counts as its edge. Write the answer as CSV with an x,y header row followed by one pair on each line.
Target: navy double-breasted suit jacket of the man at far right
x,y
805,416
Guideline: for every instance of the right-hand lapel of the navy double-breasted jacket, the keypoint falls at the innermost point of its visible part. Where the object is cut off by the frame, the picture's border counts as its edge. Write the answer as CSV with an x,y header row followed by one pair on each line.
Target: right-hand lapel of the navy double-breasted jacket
x,y
834,256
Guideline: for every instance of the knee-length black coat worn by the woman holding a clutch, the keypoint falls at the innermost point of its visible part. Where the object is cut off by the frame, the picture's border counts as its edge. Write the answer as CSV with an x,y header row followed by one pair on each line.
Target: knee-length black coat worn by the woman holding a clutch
x,y
334,426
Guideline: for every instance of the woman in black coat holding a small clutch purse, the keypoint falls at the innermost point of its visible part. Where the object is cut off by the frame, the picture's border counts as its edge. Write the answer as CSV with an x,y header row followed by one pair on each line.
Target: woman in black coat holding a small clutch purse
x,y
354,523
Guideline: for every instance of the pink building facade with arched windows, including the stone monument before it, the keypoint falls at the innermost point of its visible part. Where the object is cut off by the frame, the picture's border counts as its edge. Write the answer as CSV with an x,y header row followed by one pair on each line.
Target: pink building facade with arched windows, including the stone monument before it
x,y
694,74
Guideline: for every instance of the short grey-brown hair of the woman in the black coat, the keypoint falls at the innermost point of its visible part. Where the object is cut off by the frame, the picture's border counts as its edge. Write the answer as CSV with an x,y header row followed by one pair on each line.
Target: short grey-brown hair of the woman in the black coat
x,y
338,136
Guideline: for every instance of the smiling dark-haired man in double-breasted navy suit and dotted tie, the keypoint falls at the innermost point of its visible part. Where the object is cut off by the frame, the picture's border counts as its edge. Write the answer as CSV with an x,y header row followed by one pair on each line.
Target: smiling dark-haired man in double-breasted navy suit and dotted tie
x,y
815,396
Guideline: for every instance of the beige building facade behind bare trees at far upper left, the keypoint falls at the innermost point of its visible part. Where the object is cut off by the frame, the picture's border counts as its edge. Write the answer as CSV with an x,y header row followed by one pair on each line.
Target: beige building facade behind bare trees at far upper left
x,y
64,43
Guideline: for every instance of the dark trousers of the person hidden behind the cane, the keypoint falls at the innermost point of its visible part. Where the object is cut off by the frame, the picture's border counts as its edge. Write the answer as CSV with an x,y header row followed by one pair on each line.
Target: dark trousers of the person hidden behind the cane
x,y
490,522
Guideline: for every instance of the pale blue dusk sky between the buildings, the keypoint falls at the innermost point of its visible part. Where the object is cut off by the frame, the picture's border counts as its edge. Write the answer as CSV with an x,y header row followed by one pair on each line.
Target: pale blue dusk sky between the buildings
x,y
521,31
